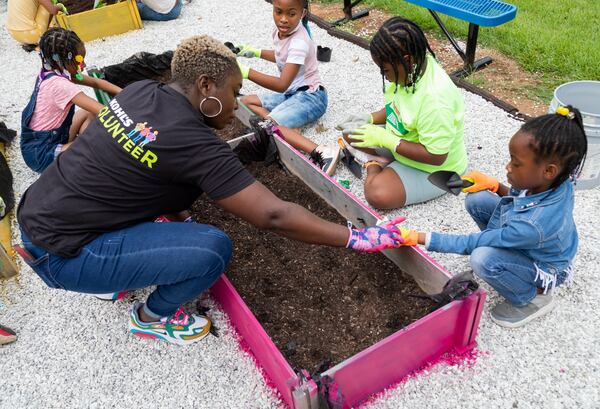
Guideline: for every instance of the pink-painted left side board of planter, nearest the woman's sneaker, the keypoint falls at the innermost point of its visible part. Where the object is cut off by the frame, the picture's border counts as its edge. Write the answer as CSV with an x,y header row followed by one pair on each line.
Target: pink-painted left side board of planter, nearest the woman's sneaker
x,y
280,373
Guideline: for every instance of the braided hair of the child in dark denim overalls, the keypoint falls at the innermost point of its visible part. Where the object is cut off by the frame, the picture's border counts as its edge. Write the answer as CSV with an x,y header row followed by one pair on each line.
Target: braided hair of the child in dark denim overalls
x,y
58,47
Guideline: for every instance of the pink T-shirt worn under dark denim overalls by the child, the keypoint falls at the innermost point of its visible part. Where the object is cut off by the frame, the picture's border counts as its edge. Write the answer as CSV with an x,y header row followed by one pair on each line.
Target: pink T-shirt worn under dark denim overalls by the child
x,y
53,103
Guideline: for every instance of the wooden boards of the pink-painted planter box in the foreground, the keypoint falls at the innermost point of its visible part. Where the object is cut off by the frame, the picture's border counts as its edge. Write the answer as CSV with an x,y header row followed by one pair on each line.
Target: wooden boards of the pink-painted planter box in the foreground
x,y
452,328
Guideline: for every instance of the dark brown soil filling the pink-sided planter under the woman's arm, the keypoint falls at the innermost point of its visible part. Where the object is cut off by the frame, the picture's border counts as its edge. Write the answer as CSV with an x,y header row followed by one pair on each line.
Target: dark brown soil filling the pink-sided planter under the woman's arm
x,y
317,303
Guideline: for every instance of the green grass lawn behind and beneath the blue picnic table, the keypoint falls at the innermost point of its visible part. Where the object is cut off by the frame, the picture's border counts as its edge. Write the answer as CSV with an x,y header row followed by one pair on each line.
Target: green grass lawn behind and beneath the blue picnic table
x,y
560,40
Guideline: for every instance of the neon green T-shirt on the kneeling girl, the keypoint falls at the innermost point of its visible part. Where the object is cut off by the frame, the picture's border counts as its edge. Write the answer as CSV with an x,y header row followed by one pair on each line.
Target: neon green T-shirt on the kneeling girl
x,y
433,116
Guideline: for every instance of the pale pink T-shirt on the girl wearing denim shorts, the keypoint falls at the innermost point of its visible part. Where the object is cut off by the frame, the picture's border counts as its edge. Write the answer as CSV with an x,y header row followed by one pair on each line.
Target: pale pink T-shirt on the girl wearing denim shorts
x,y
298,48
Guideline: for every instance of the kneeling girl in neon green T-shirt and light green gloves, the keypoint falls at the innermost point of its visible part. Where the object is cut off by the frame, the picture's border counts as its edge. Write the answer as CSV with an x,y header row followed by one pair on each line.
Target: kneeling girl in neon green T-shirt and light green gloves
x,y
423,117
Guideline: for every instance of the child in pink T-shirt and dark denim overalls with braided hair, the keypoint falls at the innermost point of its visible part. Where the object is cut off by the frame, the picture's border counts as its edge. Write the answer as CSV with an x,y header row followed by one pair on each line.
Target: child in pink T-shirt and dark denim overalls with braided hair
x,y
49,123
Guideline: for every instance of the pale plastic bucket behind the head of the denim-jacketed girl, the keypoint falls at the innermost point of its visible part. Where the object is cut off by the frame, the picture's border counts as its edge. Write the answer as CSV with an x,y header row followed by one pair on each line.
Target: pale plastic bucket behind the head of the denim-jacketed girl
x,y
585,96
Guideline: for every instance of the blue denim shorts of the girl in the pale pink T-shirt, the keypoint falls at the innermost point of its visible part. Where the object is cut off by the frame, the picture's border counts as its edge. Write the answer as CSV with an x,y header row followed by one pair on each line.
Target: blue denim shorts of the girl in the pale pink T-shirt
x,y
295,109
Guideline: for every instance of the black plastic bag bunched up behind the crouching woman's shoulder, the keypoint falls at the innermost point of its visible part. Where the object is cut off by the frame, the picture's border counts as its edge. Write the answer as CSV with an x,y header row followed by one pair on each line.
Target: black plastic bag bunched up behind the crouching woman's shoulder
x,y
140,66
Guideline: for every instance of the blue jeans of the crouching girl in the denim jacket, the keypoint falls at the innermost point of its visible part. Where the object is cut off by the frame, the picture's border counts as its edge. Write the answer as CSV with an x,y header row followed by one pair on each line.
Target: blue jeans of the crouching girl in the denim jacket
x,y
508,271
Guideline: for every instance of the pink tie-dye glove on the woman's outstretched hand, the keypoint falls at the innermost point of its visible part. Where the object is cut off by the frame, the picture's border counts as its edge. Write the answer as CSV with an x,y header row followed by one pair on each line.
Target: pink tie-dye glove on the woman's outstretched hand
x,y
375,238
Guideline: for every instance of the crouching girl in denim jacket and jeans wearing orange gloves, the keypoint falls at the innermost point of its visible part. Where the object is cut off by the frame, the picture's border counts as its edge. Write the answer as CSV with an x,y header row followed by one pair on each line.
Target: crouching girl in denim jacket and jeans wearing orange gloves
x,y
528,237
